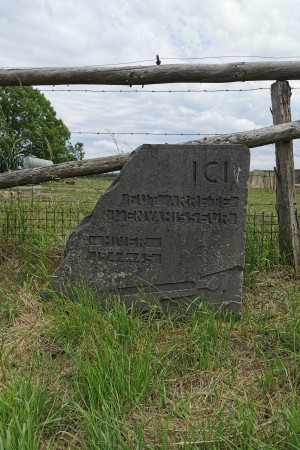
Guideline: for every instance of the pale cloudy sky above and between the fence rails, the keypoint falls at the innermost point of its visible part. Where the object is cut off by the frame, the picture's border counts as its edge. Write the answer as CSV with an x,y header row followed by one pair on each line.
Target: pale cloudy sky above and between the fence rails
x,y
45,33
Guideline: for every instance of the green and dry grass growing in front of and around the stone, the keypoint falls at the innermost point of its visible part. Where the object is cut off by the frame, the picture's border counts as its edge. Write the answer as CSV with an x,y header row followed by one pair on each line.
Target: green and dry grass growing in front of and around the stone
x,y
76,375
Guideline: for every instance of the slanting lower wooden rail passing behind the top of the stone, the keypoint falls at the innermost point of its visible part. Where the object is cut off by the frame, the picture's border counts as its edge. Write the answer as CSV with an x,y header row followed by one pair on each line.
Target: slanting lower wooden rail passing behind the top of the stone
x,y
254,138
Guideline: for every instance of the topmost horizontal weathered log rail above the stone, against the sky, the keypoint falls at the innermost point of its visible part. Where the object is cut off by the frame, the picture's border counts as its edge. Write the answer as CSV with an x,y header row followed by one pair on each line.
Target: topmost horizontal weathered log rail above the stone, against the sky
x,y
143,75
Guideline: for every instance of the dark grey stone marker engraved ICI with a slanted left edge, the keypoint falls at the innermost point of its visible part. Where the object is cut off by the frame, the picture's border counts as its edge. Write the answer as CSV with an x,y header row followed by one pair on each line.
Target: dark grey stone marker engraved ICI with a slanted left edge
x,y
171,229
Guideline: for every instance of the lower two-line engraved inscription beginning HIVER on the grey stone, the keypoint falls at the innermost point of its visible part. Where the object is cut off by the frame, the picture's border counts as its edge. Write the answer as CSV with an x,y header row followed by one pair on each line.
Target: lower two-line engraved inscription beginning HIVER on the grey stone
x,y
128,249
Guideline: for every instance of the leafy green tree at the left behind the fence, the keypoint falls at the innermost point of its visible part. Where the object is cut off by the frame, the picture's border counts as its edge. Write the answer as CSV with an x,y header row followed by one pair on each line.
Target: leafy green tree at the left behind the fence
x,y
28,125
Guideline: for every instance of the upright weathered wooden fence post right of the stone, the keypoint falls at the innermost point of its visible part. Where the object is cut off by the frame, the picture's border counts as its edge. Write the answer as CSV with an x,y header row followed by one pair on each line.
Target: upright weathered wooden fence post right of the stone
x,y
289,239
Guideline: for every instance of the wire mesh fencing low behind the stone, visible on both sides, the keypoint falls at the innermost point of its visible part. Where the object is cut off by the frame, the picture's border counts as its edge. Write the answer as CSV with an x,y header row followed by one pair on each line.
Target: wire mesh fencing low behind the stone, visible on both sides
x,y
56,220
